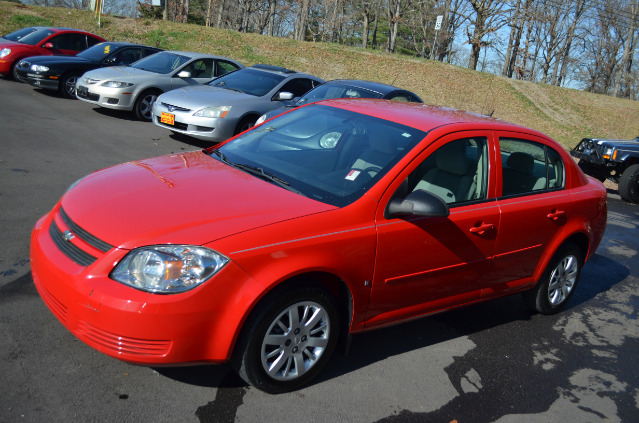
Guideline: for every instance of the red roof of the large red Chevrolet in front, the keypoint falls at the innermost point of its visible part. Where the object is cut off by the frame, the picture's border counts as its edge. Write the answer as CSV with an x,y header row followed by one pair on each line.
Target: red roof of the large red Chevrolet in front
x,y
421,116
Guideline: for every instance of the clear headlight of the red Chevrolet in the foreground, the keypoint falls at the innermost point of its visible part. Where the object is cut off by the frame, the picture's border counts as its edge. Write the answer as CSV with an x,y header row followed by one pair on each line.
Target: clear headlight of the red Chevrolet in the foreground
x,y
168,269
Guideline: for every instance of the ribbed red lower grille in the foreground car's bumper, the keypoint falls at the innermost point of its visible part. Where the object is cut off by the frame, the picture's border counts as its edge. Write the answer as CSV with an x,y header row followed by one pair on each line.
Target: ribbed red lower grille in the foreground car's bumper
x,y
121,344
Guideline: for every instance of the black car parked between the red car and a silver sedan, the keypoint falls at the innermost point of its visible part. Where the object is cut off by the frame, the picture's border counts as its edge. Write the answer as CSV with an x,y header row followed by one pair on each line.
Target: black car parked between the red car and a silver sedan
x,y
60,73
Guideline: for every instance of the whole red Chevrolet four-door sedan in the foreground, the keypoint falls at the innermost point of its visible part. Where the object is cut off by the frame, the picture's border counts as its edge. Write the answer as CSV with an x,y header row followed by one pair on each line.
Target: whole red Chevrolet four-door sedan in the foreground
x,y
342,216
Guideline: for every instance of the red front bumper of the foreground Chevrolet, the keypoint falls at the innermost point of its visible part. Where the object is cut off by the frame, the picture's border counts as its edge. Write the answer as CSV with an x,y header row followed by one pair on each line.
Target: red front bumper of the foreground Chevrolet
x,y
197,326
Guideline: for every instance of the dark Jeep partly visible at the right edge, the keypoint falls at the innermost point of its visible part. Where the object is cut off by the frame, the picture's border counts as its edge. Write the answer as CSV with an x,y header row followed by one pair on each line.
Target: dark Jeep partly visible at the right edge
x,y
617,160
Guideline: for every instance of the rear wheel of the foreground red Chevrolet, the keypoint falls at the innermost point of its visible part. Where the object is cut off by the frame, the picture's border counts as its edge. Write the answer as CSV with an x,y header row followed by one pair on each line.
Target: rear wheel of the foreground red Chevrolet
x,y
558,281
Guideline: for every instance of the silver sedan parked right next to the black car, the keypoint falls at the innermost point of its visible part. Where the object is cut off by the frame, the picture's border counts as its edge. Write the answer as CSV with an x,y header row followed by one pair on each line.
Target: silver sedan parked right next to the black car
x,y
135,88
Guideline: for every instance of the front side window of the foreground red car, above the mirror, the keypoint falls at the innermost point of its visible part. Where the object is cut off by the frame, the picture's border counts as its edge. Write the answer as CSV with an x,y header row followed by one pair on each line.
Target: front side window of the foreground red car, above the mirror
x,y
457,172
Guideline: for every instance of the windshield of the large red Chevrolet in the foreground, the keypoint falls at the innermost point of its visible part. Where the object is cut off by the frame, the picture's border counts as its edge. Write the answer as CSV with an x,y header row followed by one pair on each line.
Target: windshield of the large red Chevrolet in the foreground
x,y
324,153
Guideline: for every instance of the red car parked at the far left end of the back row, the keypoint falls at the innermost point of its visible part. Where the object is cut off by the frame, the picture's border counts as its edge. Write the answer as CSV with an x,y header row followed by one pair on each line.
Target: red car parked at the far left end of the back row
x,y
44,42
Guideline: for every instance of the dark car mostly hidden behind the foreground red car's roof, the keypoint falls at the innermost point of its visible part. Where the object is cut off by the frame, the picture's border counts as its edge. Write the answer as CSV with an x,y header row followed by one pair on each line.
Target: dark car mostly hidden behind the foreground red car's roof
x,y
347,88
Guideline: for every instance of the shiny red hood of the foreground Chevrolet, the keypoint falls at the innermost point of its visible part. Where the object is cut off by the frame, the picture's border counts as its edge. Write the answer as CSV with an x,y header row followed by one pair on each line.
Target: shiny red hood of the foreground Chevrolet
x,y
189,198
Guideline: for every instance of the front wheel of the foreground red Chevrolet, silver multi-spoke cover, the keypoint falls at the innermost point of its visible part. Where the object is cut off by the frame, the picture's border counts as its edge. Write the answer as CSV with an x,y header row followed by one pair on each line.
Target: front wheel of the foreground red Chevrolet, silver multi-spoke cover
x,y
293,356
